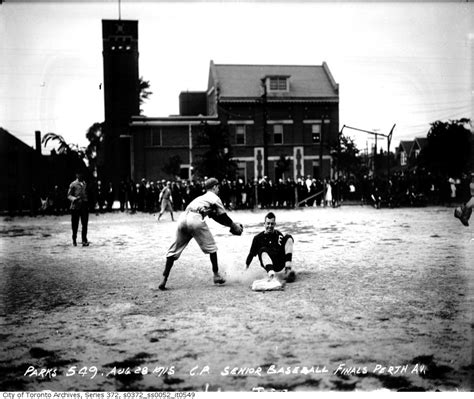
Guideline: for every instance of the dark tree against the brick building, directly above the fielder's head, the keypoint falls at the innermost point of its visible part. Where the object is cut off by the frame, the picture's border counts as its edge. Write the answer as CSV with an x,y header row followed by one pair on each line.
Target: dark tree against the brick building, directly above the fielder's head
x,y
217,160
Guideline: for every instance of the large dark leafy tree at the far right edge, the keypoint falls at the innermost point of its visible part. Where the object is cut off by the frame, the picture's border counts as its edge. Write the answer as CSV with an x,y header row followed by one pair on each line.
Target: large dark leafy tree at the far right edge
x,y
448,148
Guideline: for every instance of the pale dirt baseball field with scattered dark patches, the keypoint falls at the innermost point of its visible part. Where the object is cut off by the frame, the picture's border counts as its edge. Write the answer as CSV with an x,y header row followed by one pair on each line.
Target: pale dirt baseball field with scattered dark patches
x,y
383,299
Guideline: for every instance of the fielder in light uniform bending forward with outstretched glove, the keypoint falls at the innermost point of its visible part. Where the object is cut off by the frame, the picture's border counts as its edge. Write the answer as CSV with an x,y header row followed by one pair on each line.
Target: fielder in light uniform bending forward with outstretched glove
x,y
192,224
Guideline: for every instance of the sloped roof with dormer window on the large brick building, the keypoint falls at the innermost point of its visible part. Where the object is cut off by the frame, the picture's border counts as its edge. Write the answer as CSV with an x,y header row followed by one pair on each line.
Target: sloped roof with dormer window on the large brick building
x,y
244,81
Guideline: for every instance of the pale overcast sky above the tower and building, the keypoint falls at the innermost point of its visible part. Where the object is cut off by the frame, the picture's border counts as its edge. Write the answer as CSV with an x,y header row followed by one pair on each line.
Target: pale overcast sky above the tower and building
x,y
408,63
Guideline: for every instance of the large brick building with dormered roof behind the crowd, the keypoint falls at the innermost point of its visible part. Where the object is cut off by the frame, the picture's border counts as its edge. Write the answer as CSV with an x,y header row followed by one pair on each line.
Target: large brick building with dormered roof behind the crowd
x,y
268,112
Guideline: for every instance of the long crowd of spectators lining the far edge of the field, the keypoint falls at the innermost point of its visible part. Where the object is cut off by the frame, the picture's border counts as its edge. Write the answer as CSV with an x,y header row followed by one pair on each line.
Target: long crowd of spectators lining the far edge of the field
x,y
402,189
